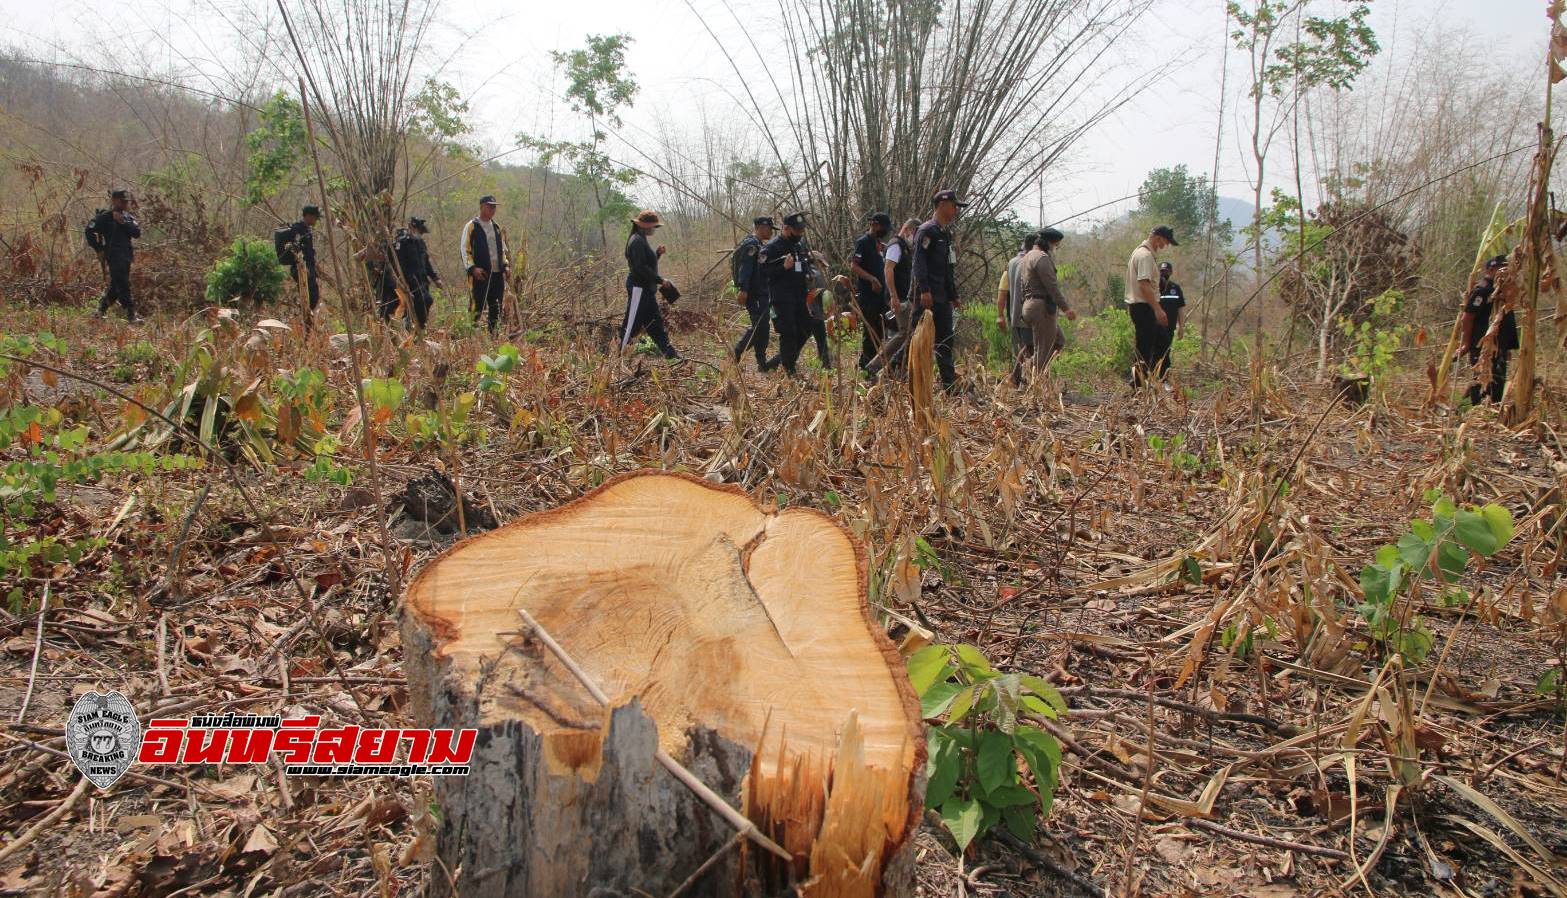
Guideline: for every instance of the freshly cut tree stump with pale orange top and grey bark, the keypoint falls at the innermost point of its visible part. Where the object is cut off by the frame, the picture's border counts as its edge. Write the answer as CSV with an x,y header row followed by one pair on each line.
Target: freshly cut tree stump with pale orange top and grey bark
x,y
736,640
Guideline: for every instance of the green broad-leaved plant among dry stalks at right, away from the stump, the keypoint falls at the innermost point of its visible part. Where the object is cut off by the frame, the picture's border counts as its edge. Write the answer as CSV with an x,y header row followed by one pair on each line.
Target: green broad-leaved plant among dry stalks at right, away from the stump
x,y
1433,554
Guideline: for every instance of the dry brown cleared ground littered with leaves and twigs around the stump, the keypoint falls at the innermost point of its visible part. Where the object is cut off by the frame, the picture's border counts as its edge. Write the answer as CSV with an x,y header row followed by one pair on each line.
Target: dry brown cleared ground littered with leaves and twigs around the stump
x,y
1171,588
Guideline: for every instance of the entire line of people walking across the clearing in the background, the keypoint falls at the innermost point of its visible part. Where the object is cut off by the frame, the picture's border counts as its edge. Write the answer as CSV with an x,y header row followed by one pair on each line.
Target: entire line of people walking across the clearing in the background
x,y
894,281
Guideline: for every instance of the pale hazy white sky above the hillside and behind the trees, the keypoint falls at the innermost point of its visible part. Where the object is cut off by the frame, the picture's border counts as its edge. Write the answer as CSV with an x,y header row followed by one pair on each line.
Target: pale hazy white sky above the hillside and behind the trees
x,y
504,67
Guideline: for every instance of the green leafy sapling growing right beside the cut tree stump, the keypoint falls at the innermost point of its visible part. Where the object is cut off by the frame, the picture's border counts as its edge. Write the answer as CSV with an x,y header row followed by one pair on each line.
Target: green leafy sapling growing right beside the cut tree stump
x,y
977,737
